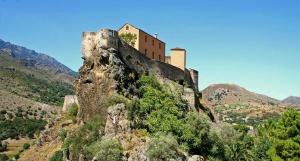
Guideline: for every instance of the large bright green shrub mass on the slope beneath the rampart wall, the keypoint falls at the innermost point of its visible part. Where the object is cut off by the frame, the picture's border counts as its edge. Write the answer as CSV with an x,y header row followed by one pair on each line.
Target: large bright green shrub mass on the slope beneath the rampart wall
x,y
162,110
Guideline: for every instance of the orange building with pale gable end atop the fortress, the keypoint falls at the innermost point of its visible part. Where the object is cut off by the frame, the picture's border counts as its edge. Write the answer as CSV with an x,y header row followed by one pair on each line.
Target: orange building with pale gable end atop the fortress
x,y
145,43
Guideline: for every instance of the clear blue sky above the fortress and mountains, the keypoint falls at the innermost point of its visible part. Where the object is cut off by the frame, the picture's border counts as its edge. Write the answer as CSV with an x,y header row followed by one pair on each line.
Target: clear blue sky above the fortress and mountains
x,y
252,43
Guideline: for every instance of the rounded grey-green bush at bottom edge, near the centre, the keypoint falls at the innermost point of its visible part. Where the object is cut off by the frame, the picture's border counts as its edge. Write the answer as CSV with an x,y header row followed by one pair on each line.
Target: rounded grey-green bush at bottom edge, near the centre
x,y
162,147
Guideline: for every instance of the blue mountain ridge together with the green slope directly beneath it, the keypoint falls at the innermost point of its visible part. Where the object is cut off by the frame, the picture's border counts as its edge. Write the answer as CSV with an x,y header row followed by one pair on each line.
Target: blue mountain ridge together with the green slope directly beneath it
x,y
34,76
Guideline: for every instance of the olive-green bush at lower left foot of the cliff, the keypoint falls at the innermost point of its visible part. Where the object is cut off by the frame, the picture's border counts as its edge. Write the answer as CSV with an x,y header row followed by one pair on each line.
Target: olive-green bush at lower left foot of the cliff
x,y
90,132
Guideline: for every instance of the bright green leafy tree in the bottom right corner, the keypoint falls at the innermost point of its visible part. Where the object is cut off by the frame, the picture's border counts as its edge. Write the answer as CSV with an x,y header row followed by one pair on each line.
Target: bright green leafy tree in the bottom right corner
x,y
280,138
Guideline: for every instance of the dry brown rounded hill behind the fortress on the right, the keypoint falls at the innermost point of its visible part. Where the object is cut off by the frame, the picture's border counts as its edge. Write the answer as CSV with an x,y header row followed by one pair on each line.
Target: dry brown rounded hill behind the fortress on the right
x,y
234,104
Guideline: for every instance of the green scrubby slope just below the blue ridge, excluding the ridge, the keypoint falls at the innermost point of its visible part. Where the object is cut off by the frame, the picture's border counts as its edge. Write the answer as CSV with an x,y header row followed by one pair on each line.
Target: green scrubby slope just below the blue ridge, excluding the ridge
x,y
36,84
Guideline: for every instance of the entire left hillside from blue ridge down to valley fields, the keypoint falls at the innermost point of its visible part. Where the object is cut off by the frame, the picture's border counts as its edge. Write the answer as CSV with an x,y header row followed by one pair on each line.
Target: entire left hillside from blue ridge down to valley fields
x,y
32,87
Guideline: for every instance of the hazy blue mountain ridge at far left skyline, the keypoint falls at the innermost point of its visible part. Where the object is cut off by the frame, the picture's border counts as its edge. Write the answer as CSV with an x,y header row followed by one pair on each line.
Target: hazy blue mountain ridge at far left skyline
x,y
34,59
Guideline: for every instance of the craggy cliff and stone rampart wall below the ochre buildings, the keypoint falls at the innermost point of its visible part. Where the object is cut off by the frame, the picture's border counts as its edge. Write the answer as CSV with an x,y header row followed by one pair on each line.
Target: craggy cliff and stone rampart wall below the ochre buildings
x,y
110,65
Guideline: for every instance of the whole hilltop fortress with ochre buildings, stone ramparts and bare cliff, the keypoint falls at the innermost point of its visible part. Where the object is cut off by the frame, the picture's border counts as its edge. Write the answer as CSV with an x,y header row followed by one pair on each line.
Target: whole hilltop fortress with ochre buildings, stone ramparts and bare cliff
x,y
111,65
